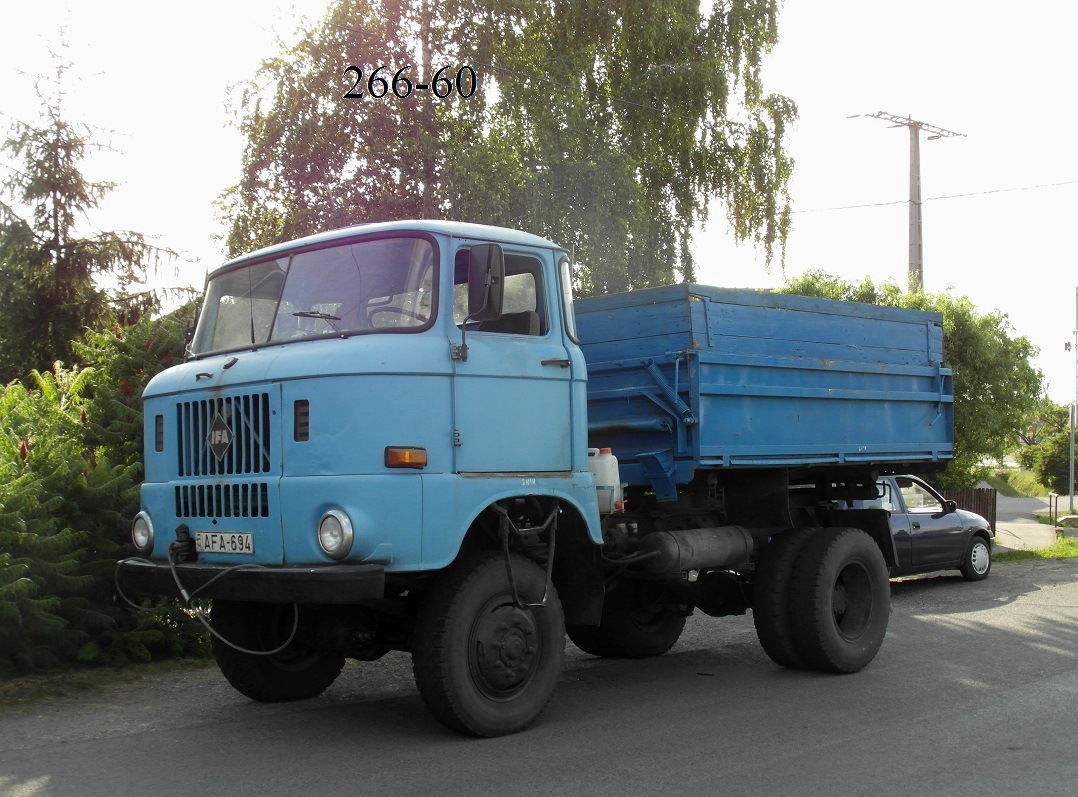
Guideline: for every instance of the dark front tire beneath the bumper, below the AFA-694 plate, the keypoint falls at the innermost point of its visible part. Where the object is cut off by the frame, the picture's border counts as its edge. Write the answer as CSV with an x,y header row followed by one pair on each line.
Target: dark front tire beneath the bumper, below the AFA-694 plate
x,y
296,674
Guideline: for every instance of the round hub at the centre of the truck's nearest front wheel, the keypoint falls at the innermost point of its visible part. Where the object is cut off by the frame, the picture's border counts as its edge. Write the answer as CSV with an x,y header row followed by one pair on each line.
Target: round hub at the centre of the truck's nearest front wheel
x,y
506,645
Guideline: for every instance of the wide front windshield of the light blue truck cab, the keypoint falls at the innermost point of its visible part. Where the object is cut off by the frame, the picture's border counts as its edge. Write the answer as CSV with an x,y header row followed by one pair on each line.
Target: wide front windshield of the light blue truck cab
x,y
368,286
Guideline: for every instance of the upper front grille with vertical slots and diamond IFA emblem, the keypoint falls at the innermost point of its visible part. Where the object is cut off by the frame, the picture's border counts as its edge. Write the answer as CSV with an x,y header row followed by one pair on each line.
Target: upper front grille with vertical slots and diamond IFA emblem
x,y
225,436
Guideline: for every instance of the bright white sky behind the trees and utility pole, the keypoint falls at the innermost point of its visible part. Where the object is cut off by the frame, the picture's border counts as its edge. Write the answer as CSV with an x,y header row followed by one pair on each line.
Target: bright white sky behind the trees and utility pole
x,y
157,76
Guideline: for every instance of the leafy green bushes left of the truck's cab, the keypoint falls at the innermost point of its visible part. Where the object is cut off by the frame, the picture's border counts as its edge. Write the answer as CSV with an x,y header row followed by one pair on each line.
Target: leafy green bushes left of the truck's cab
x,y
71,469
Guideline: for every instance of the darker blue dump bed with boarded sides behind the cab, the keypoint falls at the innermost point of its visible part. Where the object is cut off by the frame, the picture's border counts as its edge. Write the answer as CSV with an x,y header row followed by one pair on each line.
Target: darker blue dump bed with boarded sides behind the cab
x,y
687,377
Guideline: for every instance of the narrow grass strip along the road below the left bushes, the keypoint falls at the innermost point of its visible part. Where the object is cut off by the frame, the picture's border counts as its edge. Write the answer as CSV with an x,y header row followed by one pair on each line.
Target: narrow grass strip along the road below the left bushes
x,y
30,690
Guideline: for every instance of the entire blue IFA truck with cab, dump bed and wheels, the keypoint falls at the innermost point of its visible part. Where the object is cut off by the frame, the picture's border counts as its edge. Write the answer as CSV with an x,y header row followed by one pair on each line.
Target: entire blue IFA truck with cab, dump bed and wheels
x,y
409,436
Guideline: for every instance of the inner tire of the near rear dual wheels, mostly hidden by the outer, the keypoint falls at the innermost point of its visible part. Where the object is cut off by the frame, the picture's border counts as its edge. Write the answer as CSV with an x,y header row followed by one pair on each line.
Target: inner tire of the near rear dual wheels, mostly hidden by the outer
x,y
771,597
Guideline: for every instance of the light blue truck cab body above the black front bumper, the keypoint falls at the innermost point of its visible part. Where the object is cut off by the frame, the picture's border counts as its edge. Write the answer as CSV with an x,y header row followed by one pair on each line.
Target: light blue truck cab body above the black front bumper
x,y
343,378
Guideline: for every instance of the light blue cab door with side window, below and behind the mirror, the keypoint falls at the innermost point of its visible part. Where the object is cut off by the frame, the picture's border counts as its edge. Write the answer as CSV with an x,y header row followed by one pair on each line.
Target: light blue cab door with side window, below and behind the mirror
x,y
513,405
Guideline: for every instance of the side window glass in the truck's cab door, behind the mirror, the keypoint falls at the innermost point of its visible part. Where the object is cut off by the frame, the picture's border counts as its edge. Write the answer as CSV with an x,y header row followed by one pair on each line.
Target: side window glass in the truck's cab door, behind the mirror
x,y
524,311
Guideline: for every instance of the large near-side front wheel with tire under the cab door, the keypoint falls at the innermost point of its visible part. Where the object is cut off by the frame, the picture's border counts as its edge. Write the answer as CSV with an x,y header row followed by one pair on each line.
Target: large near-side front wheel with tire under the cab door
x,y
482,666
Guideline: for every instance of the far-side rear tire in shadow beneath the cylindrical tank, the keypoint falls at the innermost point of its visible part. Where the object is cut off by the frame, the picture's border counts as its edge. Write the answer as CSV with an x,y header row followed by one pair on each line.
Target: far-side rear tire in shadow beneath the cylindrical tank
x,y
638,623
